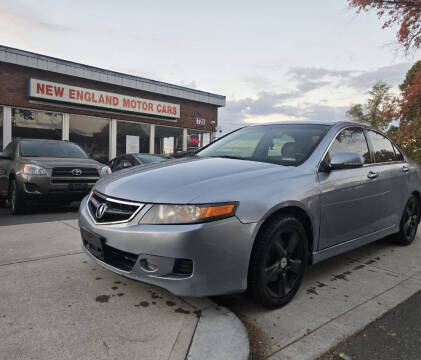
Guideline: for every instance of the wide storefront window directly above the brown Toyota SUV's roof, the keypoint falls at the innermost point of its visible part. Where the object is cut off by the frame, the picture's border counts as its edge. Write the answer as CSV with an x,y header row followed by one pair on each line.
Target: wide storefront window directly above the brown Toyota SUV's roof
x,y
36,124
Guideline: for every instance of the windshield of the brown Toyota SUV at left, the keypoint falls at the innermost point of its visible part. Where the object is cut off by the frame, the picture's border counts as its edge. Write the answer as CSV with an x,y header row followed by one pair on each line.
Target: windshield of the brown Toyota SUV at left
x,y
51,149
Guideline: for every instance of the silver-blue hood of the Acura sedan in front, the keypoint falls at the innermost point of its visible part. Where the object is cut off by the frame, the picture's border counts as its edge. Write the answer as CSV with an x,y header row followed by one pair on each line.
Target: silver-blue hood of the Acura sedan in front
x,y
191,180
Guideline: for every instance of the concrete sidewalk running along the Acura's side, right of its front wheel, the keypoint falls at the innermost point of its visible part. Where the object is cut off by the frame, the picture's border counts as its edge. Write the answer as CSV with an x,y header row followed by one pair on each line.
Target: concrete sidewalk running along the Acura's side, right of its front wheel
x,y
337,298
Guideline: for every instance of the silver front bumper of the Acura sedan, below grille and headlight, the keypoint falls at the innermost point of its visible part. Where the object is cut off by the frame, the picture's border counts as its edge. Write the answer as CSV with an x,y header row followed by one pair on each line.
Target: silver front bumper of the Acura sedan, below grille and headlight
x,y
220,252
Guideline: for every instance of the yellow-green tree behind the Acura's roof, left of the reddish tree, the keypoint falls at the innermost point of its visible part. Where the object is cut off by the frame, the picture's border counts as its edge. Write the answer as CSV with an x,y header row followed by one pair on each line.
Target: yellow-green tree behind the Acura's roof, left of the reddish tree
x,y
373,112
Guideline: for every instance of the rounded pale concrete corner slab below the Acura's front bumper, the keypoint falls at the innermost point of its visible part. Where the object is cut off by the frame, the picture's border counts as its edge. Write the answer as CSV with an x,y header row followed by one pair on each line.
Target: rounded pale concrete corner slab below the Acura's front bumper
x,y
219,335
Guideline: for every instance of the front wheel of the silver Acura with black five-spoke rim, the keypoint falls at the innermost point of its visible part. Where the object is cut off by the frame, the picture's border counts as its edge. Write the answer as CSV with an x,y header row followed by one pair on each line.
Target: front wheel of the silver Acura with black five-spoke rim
x,y
278,262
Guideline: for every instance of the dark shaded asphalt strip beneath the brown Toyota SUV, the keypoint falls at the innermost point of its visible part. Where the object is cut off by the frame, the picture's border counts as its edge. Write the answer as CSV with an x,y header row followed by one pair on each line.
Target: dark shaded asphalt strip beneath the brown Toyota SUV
x,y
40,213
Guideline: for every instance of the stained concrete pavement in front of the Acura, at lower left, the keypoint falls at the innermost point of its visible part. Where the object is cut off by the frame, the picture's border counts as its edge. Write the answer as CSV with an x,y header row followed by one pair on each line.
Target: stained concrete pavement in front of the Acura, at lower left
x,y
56,304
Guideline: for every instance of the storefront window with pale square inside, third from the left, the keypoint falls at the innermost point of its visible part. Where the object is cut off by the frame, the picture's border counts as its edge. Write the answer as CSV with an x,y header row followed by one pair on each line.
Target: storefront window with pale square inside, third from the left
x,y
132,137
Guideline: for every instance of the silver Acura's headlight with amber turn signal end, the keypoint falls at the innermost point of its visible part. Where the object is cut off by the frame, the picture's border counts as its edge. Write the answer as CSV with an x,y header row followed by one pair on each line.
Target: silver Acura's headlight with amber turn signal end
x,y
187,214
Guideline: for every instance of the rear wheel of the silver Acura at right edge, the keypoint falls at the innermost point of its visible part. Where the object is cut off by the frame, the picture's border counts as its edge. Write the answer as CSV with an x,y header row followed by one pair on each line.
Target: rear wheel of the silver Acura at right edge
x,y
409,222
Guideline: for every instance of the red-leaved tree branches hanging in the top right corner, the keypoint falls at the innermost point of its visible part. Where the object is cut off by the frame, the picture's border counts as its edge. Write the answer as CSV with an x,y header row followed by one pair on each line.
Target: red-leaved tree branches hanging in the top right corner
x,y
404,13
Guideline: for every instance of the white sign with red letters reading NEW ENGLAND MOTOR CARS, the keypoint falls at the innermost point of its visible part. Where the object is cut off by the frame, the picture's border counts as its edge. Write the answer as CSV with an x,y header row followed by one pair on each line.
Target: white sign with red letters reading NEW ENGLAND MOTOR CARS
x,y
47,90
